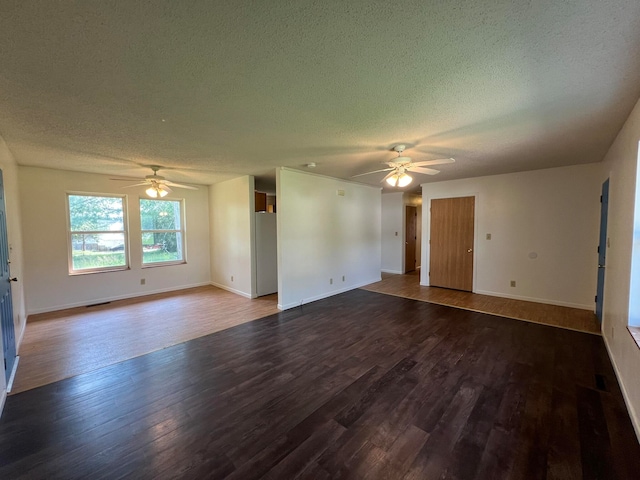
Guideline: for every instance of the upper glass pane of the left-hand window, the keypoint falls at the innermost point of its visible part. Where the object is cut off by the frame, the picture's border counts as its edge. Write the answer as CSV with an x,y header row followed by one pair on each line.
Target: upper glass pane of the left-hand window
x,y
89,213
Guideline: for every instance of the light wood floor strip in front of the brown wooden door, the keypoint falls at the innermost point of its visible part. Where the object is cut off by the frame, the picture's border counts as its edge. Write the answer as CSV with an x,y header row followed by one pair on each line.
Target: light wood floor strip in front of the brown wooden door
x,y
408,286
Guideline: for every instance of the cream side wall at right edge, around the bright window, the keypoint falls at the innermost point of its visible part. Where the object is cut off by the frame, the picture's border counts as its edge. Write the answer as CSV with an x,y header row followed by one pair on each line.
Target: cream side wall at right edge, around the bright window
x,y
620,166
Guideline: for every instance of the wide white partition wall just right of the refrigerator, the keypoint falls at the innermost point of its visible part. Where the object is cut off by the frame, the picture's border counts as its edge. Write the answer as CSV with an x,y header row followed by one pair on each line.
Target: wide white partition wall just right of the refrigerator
x,y
323,236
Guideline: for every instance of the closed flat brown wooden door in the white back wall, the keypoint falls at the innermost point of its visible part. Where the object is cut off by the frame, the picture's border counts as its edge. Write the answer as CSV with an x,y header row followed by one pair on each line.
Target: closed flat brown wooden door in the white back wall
x,y
451,243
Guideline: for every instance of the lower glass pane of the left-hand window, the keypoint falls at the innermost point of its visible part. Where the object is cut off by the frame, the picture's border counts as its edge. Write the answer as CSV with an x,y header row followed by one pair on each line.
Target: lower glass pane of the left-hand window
x,y
103,250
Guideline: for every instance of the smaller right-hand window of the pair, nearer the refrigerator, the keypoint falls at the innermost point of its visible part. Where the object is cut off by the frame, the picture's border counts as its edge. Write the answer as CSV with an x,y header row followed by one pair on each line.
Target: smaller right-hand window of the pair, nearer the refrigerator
x,y
162,226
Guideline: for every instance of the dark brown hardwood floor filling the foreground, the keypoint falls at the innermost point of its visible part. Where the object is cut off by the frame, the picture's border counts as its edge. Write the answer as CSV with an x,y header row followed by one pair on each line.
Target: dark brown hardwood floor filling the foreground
x,y
360,385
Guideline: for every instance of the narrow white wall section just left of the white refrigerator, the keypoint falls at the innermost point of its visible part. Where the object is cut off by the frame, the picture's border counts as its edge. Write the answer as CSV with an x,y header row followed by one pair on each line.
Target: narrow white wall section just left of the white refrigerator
x,y
231,207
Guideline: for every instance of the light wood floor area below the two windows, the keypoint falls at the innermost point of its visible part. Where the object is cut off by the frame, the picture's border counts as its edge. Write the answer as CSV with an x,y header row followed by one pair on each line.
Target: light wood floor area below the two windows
x,y
66,343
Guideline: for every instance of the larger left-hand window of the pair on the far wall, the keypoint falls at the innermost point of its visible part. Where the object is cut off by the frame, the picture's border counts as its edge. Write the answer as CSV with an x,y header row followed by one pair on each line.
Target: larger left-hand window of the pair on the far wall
x,y
97,233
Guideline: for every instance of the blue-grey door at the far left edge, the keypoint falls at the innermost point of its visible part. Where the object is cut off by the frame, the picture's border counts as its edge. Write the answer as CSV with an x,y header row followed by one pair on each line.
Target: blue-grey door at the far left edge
x,y
6,308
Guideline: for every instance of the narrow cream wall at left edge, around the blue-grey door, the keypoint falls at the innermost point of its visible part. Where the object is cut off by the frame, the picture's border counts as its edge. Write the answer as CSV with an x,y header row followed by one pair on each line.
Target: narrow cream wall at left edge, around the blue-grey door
x,y
14,233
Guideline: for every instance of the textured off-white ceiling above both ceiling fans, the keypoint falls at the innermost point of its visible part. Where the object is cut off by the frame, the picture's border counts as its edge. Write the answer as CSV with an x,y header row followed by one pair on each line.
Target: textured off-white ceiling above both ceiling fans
x,y
216,90
